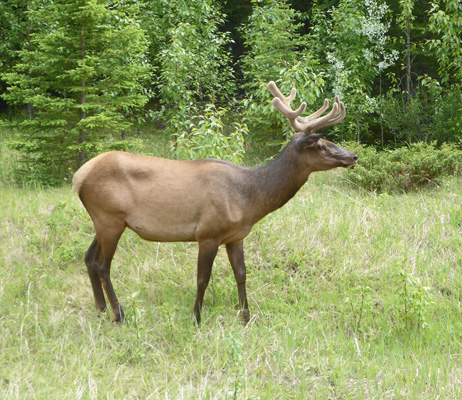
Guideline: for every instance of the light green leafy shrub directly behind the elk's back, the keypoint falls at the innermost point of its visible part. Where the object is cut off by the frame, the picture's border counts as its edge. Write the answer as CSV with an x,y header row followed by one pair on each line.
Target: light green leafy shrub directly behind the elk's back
x,y
207,139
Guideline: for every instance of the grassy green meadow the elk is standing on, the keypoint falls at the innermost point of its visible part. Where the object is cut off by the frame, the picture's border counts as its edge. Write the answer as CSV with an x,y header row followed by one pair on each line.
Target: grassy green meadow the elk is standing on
x,y
353,295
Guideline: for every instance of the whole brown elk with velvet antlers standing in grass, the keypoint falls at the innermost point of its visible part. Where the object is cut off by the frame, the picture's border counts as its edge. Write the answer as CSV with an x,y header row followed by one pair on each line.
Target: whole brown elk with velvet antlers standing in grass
x,y
210,202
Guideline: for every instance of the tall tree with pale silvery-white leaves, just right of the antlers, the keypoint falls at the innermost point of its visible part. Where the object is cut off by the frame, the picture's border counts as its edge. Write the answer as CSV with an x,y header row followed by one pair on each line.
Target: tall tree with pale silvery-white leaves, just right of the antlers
x,y
358,51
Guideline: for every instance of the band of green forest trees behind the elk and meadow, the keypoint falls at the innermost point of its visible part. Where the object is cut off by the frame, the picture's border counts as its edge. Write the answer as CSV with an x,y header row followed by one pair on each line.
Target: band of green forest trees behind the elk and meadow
x,y
83,76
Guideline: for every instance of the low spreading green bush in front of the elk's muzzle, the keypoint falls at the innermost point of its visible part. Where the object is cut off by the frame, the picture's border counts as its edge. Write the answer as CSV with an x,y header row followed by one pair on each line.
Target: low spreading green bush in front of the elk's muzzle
x,y
403,169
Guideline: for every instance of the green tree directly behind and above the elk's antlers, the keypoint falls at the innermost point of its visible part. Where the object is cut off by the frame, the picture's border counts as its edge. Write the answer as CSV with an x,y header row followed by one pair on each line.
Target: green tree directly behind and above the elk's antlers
x,y
273,41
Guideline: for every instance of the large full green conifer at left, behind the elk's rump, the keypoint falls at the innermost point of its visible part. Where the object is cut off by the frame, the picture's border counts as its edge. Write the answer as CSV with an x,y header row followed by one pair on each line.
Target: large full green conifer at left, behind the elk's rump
x,y
83,73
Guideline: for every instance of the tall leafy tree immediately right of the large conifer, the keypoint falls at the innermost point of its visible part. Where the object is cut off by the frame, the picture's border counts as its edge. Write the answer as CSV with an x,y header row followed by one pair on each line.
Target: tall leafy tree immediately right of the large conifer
x,y
194,65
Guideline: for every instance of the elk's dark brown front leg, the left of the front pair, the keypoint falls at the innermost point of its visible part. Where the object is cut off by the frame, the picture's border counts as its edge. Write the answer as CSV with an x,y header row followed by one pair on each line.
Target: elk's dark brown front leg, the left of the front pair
x,y
207,252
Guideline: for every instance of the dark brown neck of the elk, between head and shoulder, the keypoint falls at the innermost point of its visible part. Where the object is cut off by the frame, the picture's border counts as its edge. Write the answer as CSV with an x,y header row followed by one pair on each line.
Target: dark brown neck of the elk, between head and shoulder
x,y
275,183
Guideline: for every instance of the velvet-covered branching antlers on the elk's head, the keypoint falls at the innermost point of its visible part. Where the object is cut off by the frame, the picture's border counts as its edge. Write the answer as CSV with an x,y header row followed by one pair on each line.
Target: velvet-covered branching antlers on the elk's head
x,y
313,121
